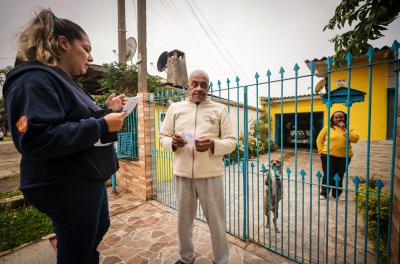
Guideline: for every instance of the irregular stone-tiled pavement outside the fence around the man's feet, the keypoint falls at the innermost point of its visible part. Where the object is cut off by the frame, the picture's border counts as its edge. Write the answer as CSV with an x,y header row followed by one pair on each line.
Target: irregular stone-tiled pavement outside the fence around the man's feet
x,y
145,232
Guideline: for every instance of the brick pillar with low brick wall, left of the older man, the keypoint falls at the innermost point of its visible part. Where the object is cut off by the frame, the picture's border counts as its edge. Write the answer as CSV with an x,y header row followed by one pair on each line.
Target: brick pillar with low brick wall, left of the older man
x,y
135,176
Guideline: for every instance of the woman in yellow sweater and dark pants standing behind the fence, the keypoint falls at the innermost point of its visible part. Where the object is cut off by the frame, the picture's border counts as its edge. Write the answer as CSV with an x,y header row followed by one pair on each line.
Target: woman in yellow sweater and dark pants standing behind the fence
x,y
337,152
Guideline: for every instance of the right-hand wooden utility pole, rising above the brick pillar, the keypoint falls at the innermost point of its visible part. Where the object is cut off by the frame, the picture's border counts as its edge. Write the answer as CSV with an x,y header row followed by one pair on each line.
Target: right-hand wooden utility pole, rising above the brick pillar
x,y
142,50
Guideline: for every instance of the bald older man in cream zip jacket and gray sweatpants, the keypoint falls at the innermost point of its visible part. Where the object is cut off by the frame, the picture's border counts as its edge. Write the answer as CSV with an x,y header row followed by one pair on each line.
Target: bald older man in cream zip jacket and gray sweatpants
x,y
198,165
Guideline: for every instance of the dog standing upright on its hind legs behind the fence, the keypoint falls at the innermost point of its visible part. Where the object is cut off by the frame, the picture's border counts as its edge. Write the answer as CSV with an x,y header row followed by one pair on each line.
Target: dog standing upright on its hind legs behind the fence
x,y
273,191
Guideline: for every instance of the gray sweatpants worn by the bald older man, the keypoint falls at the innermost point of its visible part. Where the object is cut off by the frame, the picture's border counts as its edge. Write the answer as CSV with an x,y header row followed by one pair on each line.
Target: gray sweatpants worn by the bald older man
x,y
210,192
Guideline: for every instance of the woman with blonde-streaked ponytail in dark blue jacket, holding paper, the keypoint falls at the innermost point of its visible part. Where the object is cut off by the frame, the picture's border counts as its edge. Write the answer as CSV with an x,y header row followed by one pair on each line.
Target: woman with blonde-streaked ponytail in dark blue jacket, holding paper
x,y
62,134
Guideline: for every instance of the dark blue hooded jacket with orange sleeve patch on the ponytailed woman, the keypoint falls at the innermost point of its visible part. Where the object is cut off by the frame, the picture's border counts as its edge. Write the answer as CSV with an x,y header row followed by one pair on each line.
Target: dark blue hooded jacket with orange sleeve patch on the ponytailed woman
x,y
58,145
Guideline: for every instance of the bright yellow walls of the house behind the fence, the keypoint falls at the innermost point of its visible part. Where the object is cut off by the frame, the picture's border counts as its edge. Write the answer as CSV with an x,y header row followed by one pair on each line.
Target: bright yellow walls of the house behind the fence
x,y
358,111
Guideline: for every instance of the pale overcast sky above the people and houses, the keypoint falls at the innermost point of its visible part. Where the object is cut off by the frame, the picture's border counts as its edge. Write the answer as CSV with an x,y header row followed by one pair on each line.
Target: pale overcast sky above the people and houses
x,y
226,37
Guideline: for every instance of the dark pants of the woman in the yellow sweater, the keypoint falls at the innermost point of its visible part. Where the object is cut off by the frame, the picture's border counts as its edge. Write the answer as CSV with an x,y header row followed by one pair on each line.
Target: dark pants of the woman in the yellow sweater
x,y
337,165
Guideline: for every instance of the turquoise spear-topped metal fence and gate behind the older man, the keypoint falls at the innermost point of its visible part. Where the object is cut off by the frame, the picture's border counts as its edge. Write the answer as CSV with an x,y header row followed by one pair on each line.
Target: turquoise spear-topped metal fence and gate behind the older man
x,y
280,208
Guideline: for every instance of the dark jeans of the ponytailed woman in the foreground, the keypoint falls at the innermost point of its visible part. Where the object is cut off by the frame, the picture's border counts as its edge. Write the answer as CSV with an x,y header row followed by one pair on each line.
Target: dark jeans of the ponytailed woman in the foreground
x,y
80,219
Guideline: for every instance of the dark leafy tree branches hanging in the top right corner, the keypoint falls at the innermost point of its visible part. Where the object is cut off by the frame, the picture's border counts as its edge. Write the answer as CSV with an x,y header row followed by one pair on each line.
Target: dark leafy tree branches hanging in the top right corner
x,y
371,18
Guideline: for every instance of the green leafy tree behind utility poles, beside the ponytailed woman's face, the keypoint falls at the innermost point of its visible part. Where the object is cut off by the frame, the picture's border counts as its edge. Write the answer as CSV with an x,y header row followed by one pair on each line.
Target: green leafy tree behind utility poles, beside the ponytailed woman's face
x,y
121,78
